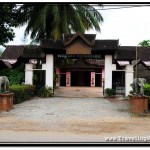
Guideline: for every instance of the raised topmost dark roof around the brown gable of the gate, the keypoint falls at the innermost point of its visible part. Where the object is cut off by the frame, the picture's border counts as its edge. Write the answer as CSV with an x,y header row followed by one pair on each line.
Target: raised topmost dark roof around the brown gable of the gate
x,y
88,38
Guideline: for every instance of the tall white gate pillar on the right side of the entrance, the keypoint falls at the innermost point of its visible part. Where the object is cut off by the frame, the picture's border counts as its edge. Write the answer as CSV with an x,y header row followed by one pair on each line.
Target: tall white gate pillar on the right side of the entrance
x,y
109,67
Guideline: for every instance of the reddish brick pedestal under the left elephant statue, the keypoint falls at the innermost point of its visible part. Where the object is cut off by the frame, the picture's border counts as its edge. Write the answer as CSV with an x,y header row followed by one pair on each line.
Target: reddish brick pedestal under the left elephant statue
x,y
6,101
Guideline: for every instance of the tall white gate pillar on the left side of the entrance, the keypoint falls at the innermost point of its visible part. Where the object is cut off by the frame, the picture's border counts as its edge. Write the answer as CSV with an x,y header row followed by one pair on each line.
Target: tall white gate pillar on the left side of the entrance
x,y
49,67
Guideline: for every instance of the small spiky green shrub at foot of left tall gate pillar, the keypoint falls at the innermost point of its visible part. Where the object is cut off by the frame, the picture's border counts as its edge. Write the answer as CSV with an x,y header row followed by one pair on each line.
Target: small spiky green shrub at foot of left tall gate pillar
x,y
45,92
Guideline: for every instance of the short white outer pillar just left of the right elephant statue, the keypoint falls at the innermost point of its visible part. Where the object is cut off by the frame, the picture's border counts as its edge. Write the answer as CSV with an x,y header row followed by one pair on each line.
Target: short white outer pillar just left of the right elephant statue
x,y
128,79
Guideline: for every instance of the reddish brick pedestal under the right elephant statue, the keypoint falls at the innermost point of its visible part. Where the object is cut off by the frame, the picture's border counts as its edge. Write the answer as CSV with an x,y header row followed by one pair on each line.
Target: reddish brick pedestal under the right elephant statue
x,y
139,104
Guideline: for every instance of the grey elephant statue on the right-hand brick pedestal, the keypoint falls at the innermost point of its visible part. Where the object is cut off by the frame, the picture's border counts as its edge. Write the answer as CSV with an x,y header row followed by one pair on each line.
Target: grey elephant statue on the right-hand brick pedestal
x,y
138,86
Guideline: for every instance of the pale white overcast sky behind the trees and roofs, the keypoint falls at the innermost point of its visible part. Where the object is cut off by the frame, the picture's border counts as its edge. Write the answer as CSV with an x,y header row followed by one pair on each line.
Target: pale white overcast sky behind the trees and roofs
x,y
129,25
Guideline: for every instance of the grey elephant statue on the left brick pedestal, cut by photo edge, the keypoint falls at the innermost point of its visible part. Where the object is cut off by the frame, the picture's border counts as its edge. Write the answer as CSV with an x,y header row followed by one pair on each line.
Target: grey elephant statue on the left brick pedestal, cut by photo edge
x,y
5,83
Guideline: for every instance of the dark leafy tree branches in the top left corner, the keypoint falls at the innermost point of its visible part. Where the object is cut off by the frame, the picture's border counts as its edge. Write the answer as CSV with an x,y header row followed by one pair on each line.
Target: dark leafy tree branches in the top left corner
x,y
9,17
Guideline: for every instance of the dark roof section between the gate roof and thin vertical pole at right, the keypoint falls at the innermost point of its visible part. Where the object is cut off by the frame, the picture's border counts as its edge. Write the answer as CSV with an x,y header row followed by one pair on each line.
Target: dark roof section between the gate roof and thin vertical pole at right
x,y
126,53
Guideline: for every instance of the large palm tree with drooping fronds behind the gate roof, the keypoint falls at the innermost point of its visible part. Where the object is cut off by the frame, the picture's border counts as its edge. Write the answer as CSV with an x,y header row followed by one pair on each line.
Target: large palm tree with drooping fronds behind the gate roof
x,y
51,20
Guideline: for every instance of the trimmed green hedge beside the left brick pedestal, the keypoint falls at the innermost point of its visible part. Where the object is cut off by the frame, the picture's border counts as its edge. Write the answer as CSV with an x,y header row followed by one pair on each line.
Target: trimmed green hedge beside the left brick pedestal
x,y
22,92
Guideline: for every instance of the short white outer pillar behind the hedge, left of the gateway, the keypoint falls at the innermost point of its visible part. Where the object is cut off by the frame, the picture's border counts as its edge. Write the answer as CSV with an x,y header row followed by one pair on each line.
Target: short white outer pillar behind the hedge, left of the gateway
x,y
29,74
